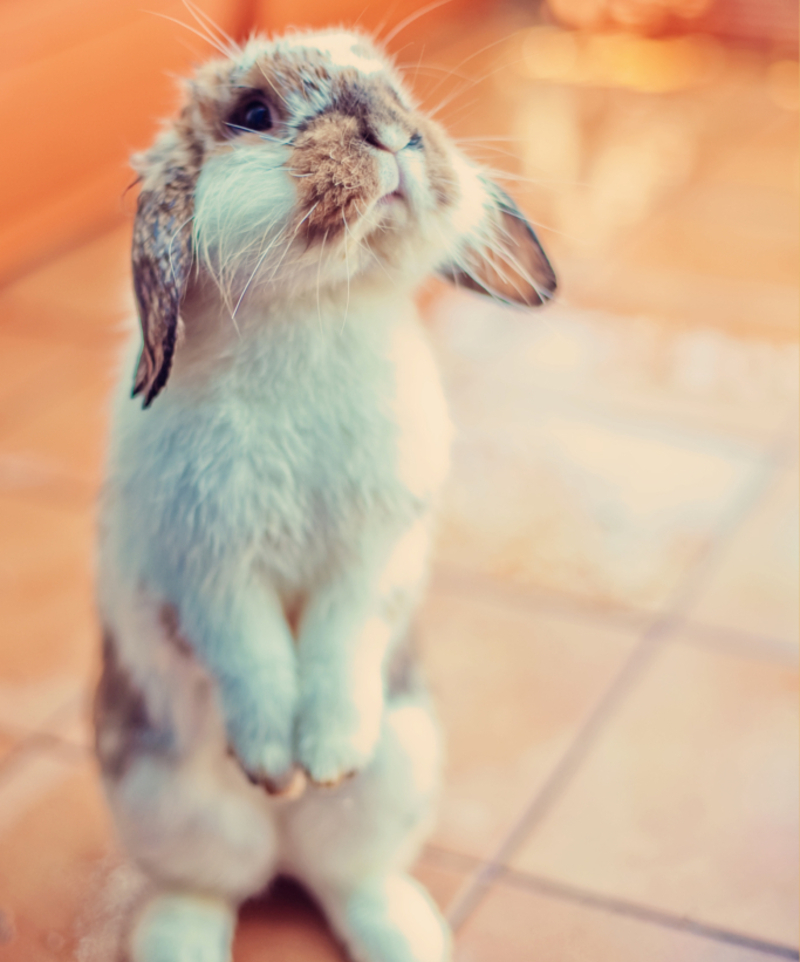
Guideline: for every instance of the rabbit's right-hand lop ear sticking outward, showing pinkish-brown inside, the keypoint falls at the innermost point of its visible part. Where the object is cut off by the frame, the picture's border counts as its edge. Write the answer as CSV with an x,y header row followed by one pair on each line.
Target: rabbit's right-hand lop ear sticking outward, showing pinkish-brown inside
x,y
501,255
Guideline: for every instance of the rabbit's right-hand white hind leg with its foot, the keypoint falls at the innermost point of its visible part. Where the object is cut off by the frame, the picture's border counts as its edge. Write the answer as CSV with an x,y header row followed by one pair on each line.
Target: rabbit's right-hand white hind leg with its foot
x,y
351,845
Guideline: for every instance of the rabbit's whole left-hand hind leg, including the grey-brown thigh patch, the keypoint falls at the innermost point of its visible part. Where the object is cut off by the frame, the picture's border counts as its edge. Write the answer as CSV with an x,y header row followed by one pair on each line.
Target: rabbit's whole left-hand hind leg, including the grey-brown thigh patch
x,y
188,816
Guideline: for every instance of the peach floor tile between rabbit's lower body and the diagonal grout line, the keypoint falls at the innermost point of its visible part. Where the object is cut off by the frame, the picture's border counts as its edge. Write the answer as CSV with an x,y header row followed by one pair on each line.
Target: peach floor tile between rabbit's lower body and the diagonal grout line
x,y
512,689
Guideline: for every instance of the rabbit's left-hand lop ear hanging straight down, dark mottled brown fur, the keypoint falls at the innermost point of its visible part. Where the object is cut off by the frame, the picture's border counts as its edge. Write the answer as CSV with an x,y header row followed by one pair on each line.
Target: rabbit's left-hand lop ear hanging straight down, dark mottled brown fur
x,y
162,259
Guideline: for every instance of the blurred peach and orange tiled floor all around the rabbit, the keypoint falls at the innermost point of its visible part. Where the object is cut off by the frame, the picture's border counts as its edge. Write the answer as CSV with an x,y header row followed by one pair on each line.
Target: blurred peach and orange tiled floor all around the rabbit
x,y
612,628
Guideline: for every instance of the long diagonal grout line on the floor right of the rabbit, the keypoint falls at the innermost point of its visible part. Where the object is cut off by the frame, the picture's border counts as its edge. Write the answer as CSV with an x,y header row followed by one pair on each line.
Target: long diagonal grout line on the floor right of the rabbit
x,y
476,887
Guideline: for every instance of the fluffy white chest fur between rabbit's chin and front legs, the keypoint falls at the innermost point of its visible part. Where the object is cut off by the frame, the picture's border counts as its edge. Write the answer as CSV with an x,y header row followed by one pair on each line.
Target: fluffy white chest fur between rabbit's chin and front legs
x,y
294,440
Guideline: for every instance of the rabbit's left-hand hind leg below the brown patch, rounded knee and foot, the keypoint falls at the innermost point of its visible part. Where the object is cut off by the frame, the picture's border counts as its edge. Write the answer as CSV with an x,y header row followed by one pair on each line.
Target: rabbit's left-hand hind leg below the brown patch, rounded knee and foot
x,y
205,841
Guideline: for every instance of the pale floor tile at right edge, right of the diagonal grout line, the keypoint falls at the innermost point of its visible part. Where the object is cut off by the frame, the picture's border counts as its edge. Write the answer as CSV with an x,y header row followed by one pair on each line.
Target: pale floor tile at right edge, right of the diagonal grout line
x,y
755,586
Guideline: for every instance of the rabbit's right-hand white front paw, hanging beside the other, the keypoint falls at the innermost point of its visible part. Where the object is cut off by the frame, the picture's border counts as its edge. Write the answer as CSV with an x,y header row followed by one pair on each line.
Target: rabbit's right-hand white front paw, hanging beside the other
x,y
336,741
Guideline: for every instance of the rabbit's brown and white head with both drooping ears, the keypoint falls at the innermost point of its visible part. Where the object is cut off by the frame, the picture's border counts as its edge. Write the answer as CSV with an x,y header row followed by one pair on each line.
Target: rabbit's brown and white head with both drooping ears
x,y
301,164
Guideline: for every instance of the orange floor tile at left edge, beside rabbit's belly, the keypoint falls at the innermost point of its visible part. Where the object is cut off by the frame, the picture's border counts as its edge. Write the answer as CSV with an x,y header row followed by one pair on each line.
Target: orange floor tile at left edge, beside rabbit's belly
x,y
49,634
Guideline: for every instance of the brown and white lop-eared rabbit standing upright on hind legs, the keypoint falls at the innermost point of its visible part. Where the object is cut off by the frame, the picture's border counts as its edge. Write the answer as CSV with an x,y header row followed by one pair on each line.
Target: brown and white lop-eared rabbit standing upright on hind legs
x,y
267,512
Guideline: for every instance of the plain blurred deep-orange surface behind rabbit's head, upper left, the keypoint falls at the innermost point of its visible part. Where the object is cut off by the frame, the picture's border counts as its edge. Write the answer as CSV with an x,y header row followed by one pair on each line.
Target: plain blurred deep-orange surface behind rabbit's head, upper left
x,y
81,82
